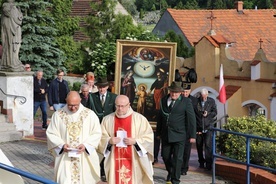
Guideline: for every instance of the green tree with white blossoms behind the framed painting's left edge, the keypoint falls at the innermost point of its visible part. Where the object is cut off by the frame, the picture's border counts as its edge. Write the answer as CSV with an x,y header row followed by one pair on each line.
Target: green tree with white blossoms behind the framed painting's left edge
x,y
104,27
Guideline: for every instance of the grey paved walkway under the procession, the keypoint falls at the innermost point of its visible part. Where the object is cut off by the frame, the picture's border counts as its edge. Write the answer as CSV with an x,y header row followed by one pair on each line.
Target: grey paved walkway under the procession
x,y
31,155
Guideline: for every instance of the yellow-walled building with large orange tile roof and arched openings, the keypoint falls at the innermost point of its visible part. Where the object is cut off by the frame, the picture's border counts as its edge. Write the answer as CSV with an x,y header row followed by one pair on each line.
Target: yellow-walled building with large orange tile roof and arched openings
x,y
243,41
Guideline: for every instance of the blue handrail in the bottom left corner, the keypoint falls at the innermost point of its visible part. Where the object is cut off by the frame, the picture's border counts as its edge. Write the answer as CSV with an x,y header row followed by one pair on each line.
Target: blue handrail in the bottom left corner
x,y
26,174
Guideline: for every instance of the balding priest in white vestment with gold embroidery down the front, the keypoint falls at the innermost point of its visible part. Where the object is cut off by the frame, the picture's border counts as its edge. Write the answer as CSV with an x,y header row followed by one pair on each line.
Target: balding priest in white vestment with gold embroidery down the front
x,y
73,136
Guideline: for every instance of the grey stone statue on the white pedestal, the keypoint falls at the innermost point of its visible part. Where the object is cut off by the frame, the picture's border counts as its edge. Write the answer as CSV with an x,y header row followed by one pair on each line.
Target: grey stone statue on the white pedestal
x,y
11,21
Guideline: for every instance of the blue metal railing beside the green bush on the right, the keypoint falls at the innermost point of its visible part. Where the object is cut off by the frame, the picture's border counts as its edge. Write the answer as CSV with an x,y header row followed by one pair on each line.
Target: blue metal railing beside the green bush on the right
x,y
247,163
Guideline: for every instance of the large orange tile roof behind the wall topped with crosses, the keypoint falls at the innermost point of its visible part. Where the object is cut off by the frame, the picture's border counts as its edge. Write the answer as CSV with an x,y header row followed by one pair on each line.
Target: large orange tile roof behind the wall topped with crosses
x,y
245,29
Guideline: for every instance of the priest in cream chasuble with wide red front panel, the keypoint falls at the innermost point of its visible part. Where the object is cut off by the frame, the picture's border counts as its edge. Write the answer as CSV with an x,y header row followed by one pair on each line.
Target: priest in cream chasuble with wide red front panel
x,y
127,144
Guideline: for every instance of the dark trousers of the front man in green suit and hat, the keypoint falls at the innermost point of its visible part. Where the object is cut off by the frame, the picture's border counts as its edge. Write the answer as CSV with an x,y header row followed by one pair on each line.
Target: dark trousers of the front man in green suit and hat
x,y
172,154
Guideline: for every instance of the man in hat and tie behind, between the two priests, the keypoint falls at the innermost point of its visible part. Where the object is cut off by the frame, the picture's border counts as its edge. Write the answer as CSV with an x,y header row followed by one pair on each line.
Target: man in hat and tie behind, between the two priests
x,y
102,103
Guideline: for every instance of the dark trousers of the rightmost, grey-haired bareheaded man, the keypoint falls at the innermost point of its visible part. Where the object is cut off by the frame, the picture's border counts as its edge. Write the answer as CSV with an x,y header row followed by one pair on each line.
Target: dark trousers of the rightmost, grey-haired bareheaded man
x,y
204,139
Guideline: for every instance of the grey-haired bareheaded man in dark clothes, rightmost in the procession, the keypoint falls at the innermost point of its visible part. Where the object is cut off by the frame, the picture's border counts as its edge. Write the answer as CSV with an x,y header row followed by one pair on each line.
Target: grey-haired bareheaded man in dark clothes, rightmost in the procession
x,y
207,112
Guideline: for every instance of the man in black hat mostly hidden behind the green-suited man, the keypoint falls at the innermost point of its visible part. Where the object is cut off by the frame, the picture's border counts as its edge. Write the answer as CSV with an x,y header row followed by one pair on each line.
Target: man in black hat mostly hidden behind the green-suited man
x,y
188,145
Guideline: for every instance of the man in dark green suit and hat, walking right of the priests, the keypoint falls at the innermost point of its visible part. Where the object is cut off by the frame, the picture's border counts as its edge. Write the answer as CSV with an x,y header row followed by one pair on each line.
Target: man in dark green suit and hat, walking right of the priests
x,y
176,112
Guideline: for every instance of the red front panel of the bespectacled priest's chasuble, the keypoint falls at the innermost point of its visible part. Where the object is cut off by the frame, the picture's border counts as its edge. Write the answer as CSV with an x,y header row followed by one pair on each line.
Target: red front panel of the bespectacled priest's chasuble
x,y
123,156
